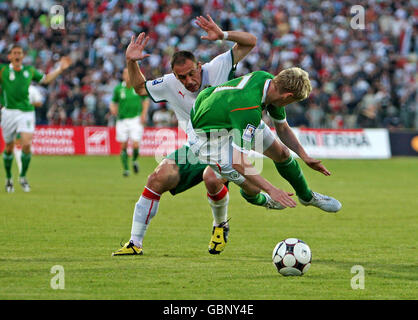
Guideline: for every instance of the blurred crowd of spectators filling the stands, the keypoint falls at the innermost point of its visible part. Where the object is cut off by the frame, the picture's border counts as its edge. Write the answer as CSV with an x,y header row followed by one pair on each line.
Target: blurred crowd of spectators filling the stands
x,y
362,77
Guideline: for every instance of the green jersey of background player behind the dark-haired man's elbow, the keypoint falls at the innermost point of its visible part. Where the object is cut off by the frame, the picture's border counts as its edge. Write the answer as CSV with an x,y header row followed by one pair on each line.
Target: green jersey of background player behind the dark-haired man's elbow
x,y
129,102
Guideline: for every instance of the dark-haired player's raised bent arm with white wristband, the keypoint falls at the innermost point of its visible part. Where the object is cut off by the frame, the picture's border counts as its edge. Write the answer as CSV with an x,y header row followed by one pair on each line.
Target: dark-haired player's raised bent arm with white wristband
x,y
245,41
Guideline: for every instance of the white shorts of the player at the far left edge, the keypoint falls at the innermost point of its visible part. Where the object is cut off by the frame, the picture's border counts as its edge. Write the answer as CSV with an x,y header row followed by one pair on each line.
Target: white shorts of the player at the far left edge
x,y
15,121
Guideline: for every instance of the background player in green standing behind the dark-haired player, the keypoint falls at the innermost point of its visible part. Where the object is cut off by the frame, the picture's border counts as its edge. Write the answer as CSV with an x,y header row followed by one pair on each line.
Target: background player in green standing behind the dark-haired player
x,y
131,110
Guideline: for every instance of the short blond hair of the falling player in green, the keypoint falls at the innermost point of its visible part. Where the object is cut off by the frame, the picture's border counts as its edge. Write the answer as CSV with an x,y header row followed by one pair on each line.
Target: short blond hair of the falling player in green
x,y
294,80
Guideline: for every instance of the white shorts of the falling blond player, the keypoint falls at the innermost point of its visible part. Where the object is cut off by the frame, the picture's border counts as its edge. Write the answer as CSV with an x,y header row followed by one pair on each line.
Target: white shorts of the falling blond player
x,y
217,153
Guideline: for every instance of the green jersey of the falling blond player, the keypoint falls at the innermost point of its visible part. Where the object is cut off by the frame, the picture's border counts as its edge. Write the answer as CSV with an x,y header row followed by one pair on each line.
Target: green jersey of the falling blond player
x,y
235,105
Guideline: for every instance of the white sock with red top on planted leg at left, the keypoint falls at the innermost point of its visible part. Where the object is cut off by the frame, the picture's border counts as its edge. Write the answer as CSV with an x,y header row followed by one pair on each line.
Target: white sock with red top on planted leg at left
x,y
145,209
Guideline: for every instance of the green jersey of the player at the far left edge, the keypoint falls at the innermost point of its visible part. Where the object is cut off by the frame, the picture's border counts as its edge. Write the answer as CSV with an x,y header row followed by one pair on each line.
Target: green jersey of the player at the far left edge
x,y
15,86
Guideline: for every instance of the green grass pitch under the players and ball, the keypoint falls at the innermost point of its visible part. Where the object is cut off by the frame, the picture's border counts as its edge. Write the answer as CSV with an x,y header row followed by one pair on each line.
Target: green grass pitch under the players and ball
x,y
80,209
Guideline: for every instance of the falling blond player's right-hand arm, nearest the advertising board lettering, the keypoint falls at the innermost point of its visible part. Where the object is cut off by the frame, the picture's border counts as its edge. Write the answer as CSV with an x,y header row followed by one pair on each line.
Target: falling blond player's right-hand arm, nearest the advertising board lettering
x,y
287,136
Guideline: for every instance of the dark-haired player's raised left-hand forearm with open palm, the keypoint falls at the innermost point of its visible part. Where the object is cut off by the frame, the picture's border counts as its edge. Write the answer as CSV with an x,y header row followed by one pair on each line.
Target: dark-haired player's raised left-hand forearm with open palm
x,y
134,53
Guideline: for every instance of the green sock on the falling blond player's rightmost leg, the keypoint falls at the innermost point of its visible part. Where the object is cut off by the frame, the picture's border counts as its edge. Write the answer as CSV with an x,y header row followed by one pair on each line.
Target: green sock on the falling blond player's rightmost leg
x,y
291,171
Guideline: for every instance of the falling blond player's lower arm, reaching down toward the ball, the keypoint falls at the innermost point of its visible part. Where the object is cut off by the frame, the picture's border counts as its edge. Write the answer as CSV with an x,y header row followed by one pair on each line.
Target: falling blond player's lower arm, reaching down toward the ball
x,y
244,167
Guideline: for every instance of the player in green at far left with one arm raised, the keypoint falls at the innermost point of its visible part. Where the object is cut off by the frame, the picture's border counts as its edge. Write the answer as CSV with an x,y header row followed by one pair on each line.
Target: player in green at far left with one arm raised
x,y
18,114
